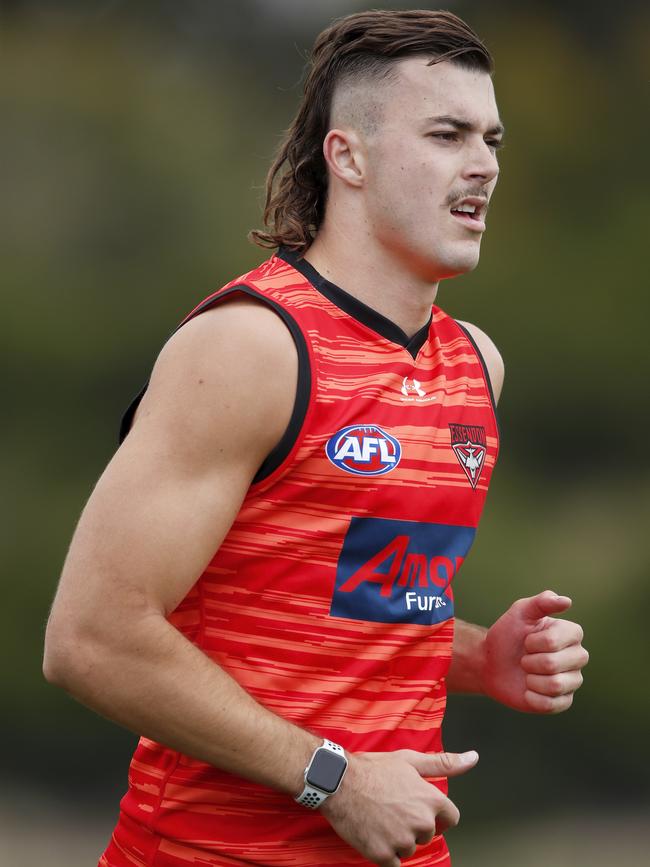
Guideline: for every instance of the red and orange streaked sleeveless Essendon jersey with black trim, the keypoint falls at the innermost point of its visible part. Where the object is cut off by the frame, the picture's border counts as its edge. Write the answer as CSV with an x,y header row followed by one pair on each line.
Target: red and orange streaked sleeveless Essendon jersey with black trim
x,y
330,599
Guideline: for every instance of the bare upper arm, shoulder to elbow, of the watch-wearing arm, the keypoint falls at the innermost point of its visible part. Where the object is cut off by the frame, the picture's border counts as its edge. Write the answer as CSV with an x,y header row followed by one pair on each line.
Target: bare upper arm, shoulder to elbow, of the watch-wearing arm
x,y
169,496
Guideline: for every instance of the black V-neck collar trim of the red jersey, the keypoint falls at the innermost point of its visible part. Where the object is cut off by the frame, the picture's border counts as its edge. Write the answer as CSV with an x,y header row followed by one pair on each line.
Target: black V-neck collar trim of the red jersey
x,y
356,308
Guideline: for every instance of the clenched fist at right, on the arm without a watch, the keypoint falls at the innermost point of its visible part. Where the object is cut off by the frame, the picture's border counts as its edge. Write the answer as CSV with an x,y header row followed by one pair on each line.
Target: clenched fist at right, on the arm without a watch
x,y
533,661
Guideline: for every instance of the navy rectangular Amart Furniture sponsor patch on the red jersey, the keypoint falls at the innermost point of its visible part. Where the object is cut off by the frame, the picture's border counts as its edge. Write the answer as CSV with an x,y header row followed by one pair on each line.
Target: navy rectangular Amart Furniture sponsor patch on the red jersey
x,y
399,571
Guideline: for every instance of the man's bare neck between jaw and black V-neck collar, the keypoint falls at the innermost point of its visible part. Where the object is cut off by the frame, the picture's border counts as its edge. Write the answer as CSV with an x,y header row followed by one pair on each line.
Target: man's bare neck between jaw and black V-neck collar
x,y
374,276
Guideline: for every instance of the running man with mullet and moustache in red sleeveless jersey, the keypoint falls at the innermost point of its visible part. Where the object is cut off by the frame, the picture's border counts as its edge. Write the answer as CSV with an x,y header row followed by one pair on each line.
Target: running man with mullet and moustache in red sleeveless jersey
x,y
261,582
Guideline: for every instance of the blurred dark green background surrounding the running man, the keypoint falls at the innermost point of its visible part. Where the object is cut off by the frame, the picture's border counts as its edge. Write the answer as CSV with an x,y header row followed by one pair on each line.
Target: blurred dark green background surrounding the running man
x,y
134,144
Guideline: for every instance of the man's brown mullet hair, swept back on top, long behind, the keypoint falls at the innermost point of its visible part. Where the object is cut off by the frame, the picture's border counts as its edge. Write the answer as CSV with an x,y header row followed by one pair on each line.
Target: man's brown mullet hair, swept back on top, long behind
x,y
366,44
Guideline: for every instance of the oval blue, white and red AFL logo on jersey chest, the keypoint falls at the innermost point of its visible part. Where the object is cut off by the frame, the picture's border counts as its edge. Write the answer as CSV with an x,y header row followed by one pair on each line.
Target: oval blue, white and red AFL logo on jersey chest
x,y
364,450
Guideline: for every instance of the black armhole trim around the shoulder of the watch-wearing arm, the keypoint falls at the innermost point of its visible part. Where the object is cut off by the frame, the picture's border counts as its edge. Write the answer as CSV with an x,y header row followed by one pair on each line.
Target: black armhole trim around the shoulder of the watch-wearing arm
x,y
281,451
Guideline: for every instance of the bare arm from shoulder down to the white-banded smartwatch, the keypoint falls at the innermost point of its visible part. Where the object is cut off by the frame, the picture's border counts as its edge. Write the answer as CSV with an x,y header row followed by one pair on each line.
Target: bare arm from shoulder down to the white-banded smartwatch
x,y
153,522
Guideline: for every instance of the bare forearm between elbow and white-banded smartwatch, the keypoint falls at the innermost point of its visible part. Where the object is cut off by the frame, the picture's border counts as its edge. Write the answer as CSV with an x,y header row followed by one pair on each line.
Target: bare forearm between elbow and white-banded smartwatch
x,y
158,684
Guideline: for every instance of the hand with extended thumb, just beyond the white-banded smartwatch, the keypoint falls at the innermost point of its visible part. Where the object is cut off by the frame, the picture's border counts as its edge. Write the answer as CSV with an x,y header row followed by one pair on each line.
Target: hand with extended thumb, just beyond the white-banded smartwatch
x,y
385,809
